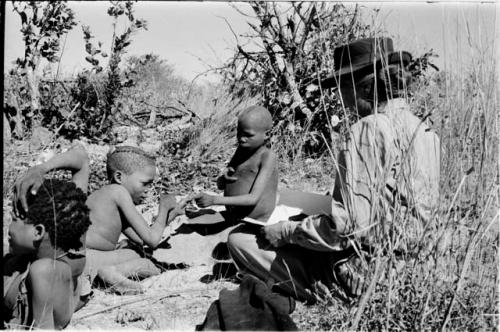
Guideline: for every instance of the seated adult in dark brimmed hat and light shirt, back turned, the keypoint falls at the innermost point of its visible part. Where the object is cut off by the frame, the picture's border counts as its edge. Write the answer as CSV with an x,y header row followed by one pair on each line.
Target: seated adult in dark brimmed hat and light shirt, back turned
x,y
385,192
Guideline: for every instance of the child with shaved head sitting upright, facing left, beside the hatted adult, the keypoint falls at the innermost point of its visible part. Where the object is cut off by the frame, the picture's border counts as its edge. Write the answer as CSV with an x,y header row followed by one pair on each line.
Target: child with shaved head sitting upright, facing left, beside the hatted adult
x,y
251,179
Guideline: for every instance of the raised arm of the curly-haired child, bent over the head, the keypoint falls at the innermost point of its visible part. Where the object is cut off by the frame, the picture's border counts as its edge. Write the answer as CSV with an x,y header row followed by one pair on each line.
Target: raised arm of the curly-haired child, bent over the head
x,y
75,159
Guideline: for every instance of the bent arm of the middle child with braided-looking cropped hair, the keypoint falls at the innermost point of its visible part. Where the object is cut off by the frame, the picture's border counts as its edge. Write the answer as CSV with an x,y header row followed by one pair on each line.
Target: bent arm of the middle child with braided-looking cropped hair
x,y
149,235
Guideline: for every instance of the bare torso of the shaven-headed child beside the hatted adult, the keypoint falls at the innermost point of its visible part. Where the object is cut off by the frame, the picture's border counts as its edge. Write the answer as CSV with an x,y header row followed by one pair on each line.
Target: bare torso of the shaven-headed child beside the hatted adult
x,y
245,172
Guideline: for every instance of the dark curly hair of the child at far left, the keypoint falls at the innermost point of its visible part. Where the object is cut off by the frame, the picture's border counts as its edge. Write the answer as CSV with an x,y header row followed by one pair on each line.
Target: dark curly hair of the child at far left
x,y
60,206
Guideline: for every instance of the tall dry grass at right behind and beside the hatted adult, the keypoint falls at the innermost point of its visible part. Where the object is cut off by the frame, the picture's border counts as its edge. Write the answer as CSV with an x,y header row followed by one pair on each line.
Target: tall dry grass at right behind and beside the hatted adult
x,y
452,284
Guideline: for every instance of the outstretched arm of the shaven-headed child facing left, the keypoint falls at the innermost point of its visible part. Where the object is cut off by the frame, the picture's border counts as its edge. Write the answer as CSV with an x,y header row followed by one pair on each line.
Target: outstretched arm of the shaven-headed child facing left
x,y
268,164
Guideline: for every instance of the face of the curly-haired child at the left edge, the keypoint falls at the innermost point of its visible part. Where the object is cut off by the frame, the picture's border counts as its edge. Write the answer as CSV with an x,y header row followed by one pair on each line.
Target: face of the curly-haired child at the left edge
x,y
22,236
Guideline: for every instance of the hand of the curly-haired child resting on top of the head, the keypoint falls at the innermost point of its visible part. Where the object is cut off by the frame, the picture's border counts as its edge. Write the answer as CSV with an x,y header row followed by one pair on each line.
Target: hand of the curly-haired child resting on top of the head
x,y
32,181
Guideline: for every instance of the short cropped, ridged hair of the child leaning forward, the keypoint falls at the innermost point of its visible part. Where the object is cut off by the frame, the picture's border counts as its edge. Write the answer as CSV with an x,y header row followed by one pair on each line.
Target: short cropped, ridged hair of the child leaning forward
x,y
127,159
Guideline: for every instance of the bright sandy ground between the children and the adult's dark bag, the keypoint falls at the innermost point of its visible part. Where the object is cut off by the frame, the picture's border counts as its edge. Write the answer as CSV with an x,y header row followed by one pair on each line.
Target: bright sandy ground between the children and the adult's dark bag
x,y
177,299
